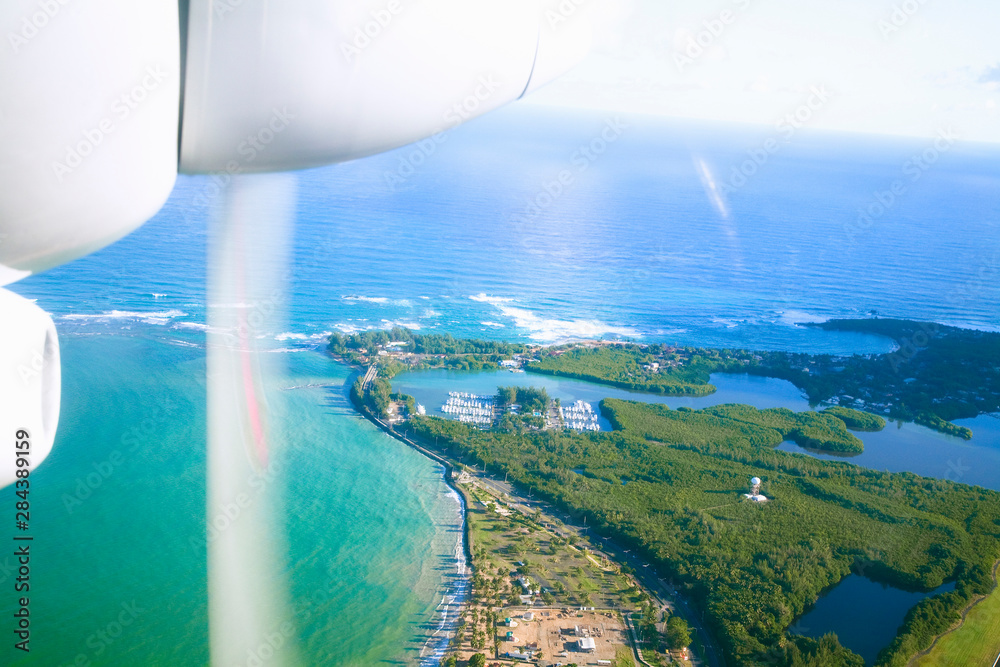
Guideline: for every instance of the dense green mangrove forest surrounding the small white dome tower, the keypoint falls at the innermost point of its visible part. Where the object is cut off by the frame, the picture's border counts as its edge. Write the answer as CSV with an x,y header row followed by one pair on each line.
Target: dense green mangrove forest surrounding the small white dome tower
x,y
753,568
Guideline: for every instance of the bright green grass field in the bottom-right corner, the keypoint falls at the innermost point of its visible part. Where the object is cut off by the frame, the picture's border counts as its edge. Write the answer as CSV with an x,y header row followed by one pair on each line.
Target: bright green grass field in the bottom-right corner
x,y
975,644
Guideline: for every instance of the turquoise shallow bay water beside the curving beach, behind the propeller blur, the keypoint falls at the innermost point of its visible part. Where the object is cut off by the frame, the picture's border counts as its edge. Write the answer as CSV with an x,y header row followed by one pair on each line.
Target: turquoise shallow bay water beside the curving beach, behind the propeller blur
x,y
118,516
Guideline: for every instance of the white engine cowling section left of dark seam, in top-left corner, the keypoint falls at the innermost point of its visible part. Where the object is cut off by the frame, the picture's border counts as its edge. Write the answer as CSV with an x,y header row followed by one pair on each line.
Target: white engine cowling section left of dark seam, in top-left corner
x,y
88,125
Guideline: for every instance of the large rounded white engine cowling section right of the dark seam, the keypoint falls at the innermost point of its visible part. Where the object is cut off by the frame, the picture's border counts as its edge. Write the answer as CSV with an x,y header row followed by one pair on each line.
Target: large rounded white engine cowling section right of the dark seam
x,y
333,81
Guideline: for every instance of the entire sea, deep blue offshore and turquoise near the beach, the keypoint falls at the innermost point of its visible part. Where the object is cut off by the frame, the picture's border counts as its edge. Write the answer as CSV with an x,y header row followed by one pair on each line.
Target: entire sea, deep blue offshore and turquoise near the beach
x,y
647,237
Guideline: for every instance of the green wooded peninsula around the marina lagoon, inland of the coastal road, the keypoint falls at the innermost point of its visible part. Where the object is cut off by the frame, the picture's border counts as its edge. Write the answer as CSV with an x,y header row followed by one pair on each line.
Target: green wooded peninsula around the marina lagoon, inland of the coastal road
x,y
670,485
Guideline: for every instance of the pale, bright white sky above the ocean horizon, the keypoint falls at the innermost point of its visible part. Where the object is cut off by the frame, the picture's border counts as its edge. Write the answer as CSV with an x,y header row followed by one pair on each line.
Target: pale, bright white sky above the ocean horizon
x,y
899,67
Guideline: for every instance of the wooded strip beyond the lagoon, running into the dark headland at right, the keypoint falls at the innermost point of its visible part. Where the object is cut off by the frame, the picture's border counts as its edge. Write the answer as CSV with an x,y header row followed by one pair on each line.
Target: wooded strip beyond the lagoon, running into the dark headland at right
x,y
937,374
